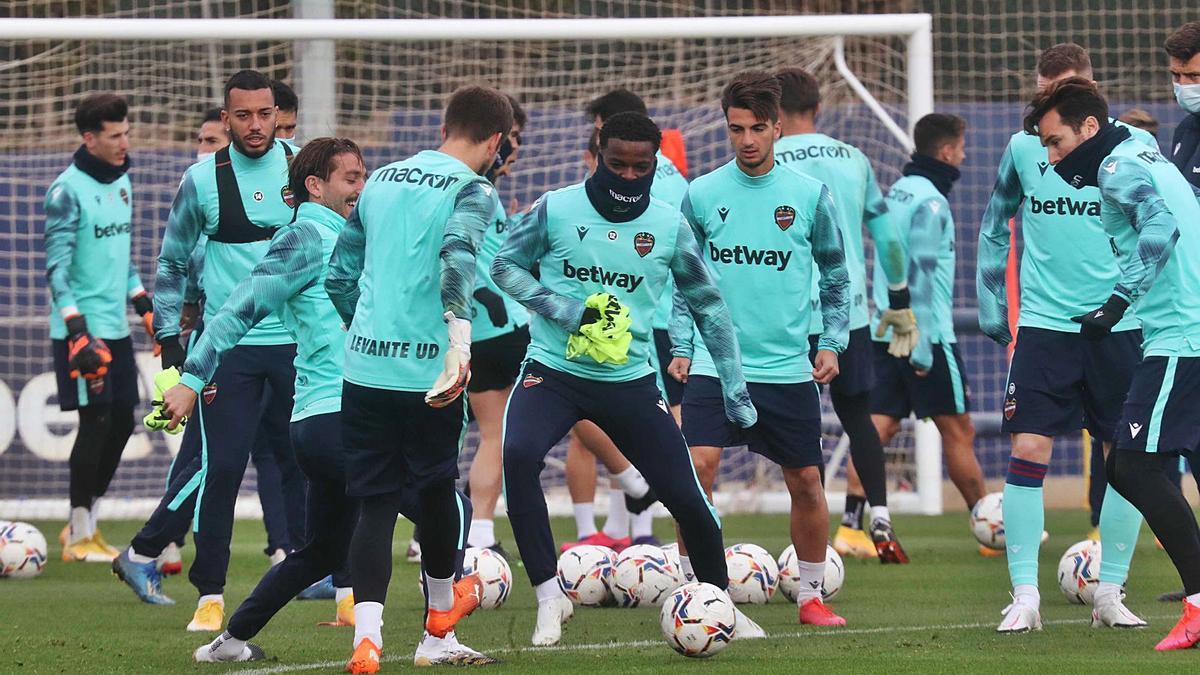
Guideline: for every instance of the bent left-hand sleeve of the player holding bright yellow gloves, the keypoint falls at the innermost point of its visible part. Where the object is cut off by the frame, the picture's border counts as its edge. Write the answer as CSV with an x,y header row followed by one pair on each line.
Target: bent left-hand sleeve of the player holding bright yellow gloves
x,y
529,242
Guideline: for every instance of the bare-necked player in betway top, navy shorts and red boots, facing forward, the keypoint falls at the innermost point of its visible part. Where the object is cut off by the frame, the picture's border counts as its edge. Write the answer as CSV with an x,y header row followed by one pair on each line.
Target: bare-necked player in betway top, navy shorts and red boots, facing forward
x,y
763,226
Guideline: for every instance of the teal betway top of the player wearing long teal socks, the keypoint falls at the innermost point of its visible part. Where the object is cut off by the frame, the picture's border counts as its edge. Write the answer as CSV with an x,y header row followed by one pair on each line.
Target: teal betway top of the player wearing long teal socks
x,y
1067,266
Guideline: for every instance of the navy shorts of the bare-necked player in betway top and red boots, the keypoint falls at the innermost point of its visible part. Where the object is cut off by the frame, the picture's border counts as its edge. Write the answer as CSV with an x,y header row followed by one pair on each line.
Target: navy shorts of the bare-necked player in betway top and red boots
x,y
789,429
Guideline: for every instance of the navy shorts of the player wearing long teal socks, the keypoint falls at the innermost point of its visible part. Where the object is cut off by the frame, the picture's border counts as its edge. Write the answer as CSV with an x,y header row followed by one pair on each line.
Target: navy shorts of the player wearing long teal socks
x,y
1061,383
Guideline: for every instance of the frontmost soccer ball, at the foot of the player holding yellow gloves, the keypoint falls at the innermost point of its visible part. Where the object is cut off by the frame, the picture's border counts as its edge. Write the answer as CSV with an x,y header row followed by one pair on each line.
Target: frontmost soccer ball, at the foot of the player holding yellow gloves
x,y
698,620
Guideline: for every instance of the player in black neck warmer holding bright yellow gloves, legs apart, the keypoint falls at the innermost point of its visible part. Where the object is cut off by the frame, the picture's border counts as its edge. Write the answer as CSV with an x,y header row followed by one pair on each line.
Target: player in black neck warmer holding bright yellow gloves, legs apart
x,y
605,249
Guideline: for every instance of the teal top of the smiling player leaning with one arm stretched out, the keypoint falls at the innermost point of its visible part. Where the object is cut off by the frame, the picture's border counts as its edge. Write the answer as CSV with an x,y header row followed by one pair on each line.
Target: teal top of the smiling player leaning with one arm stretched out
x,y
289,283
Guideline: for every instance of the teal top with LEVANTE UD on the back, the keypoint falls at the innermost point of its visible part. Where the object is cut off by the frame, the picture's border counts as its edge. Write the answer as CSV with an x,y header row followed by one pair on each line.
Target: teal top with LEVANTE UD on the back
x,y
406,256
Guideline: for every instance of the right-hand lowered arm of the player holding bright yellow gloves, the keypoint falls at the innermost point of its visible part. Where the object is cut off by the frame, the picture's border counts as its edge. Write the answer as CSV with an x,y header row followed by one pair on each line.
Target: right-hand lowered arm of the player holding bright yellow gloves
x,y
704,300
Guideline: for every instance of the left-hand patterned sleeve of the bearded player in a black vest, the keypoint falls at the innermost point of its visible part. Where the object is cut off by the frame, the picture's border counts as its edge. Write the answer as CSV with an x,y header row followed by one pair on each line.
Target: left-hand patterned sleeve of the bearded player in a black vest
x,y
185,224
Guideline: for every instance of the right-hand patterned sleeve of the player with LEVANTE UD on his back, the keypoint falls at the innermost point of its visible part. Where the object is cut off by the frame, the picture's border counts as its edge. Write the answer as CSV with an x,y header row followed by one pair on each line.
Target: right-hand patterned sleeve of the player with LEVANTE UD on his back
x,y
461,240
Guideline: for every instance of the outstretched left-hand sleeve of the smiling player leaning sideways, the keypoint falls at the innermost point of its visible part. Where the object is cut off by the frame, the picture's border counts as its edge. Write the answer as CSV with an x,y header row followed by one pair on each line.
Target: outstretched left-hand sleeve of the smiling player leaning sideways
x,y
292,264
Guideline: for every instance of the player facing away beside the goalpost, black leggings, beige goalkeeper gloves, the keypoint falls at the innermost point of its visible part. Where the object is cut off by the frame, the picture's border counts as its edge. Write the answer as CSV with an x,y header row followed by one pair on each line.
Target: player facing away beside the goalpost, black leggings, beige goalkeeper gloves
x,y
850,178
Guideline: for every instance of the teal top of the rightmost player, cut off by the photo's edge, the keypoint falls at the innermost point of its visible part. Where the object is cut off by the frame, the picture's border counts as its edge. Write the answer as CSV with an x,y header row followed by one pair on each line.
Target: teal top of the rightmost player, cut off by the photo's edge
x,y
1153,216
